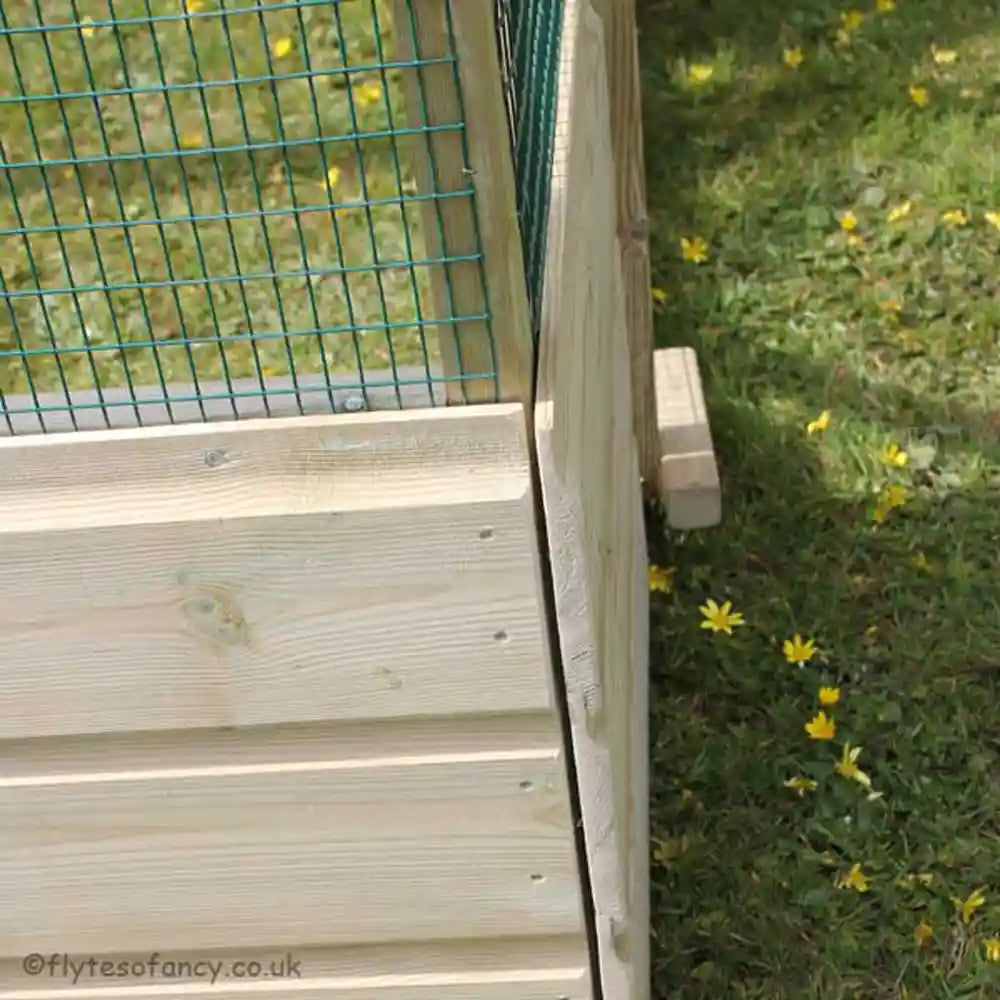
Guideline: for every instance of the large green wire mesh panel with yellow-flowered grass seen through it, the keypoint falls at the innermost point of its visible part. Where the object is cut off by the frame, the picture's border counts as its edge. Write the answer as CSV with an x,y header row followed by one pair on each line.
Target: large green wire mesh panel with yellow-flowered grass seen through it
x,y
206,211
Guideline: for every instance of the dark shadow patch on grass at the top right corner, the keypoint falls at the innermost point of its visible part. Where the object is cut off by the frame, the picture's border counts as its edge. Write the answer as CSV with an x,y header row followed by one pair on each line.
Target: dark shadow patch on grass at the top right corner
x,y
687,137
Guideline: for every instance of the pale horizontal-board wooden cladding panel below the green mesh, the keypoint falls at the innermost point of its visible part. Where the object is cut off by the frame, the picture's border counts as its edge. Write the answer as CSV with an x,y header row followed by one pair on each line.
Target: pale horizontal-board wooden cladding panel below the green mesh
x,y
284,685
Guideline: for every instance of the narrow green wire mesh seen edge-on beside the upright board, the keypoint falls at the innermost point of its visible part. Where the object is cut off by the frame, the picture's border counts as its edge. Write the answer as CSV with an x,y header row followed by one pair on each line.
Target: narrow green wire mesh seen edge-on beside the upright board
x,y
529,46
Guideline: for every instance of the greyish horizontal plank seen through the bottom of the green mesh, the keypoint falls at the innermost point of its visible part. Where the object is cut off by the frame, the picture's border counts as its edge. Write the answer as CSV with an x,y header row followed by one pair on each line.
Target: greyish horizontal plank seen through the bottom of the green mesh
x,y
147,406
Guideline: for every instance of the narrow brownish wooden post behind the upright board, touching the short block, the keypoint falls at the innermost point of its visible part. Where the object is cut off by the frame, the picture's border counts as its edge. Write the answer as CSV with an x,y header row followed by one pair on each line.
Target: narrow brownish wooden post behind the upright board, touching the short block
x,y
618,18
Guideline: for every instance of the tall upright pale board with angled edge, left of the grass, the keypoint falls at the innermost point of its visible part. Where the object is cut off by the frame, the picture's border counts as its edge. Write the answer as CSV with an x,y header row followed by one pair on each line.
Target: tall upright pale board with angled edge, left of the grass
x,y
590,483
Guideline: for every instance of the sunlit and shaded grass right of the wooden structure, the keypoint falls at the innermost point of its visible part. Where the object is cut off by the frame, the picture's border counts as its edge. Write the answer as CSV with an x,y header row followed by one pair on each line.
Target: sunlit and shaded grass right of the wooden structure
x,y
789,320
